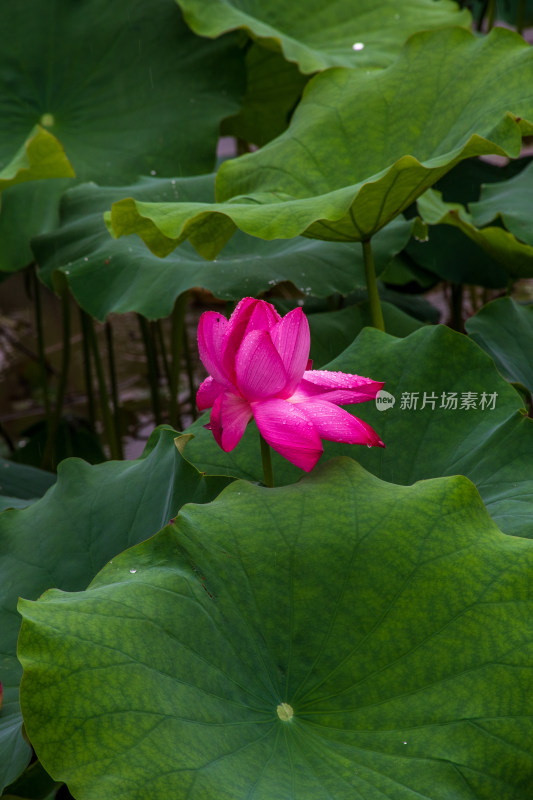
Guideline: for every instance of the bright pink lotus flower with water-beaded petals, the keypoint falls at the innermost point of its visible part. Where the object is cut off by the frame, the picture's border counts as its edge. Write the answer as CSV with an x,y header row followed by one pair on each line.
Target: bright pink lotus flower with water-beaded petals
x,y
258,364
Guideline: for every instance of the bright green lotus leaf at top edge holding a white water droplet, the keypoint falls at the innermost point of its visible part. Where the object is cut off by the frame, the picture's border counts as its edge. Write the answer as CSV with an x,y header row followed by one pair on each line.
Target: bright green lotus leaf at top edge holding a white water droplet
x,y
318,35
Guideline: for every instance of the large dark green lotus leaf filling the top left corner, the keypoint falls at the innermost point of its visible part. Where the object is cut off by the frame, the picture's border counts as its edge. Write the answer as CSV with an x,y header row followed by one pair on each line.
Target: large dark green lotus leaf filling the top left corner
x,y
125,86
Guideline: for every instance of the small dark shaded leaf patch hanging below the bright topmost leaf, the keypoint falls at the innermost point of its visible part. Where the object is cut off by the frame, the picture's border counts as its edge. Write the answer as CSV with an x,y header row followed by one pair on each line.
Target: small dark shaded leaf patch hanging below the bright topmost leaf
x,y
273,89
